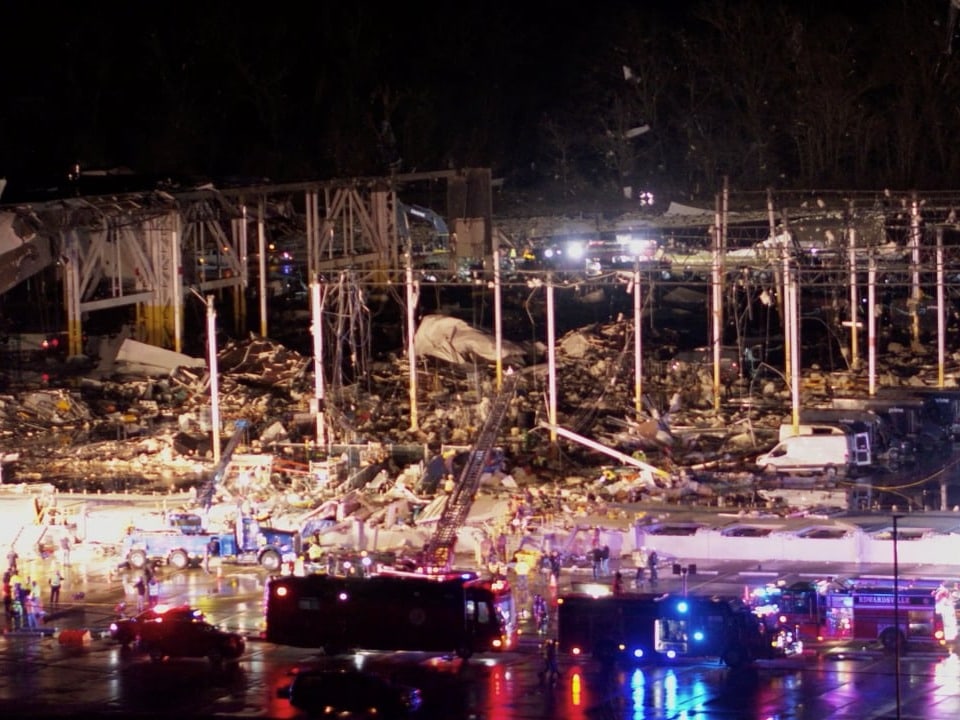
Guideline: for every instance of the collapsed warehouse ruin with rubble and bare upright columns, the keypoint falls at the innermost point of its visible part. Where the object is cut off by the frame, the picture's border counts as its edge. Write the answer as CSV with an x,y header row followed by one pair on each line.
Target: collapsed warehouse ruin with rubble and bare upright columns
x,y
144,417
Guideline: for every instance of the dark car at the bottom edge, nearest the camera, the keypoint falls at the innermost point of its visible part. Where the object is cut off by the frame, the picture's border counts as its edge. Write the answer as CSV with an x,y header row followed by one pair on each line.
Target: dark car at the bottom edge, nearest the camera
x,y
350,693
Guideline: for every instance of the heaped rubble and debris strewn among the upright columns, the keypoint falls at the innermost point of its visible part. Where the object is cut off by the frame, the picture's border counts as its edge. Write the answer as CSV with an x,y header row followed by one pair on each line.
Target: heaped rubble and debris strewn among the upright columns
x,y
143,423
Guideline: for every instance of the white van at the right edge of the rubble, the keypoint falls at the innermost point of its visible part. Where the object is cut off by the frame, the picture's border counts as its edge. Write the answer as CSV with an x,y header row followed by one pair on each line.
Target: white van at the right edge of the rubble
x,y
828,453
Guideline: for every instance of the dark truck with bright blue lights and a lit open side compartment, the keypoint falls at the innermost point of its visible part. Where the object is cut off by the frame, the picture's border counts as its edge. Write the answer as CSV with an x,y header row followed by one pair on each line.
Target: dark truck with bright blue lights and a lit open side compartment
x,y
646,627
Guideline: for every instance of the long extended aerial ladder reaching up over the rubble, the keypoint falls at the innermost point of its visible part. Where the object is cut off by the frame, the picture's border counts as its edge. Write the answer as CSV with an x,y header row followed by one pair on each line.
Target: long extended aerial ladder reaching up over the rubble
x,y
438,553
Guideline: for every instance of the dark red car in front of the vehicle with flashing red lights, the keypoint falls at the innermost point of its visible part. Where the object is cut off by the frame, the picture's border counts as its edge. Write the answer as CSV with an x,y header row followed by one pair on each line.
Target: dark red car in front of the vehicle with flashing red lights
x,y
162,638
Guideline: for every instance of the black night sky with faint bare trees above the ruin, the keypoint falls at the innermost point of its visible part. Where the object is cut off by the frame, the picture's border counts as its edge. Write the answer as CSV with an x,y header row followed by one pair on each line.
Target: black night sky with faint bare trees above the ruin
x,y
780,94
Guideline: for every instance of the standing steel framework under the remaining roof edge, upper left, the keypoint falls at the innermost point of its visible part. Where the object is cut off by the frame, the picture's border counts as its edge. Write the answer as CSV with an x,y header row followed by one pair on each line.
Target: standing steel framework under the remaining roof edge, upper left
x,y
145,248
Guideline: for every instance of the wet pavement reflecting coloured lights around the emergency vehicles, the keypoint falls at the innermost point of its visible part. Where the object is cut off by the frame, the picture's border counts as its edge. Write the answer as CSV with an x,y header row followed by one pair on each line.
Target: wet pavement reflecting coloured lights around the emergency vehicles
x,y
40,676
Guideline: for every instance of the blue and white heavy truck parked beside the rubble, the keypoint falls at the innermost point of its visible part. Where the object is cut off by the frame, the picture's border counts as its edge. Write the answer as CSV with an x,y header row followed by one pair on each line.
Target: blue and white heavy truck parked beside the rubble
x,y
249,544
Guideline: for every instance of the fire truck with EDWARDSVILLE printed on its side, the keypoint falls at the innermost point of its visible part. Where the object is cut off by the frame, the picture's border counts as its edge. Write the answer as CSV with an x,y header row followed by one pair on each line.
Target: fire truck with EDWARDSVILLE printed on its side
x,y
864,609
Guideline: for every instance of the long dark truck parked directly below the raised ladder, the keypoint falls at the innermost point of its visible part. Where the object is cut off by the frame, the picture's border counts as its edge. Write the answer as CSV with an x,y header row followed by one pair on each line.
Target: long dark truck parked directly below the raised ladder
x,y
444,613
